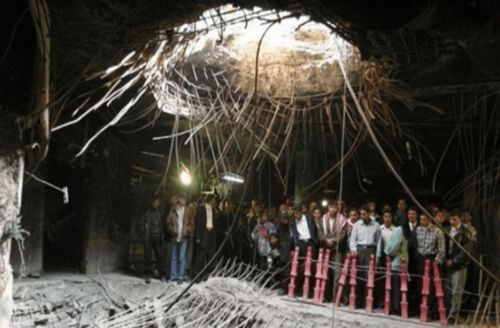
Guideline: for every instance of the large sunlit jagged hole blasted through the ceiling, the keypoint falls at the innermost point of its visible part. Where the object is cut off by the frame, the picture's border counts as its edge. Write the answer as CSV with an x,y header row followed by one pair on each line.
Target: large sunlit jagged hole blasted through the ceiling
x,y
281,54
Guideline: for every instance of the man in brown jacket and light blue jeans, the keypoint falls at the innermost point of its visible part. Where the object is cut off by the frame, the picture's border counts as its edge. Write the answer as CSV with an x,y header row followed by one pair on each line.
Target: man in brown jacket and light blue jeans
x,y
180,228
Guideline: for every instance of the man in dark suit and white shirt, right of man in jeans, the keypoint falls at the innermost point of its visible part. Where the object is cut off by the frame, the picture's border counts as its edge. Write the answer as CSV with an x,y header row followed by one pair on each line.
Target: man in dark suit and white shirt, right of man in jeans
x,y
205,235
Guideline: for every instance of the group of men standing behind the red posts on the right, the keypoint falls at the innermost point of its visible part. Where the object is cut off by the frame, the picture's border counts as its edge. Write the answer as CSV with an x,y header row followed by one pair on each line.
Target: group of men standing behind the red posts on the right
x,y
403,234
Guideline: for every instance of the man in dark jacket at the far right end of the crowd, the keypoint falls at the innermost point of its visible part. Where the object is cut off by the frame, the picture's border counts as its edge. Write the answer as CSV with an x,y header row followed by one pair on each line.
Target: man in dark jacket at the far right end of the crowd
x,y
456,263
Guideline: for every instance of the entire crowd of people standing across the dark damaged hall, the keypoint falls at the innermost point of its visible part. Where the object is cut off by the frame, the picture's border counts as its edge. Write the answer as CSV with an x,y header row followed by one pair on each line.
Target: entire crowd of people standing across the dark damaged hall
x,y
184,238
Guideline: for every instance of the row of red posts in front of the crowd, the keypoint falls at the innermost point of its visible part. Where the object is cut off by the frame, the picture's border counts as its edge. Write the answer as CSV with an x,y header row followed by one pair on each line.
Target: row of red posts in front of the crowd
x,y
349,270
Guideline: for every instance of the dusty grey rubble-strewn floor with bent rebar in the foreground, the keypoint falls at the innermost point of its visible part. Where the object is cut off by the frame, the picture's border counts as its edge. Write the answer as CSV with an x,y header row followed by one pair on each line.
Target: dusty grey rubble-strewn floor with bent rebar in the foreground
x,y
116,300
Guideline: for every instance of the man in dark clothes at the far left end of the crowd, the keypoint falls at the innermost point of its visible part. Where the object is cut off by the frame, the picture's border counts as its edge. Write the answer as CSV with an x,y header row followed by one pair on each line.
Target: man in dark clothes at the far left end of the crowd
x,y
153,227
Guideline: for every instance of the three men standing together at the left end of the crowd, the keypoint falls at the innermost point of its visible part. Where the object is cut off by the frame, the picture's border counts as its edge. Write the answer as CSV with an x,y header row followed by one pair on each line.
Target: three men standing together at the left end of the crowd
x,y
178,236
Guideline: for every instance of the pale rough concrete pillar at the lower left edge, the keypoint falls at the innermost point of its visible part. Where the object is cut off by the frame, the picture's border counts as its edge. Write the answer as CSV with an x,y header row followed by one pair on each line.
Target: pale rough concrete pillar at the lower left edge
x,y
10,180
